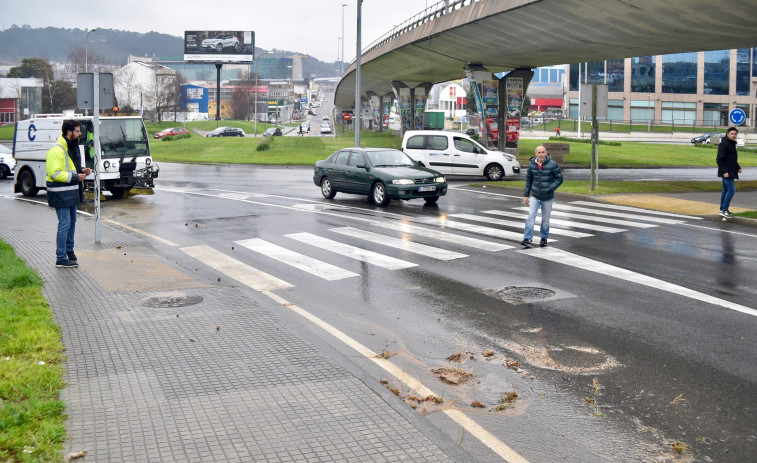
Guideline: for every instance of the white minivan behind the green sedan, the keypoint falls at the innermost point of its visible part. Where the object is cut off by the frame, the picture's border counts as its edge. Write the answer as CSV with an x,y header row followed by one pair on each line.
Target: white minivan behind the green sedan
x,y
454,153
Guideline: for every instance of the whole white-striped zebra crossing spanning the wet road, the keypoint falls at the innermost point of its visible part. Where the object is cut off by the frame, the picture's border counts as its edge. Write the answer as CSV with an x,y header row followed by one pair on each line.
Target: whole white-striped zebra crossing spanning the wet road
x,y
575,220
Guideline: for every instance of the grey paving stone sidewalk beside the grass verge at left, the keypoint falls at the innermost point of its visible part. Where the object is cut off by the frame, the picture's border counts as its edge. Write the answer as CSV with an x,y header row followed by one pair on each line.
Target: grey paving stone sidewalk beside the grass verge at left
x,y
220,380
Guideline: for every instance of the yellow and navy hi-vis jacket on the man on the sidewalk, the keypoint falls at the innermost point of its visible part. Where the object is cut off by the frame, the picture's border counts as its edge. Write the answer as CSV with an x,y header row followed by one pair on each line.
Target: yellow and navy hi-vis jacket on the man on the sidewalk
x,y
61,170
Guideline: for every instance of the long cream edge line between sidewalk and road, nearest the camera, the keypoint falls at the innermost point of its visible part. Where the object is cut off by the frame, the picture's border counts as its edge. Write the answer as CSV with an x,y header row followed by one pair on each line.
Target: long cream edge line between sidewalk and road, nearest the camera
x,y
476,430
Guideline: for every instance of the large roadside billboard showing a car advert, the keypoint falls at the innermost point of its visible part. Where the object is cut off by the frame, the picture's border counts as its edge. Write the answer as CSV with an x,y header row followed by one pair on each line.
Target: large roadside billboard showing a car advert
x,y
219,46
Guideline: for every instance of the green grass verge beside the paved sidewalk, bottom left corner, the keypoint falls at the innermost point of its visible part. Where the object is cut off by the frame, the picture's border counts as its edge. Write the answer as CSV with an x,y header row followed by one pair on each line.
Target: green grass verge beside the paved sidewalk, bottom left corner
x,y
32,427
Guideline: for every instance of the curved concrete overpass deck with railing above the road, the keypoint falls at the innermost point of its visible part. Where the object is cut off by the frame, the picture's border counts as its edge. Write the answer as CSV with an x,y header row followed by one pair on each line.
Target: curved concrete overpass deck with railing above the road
x,y
436,44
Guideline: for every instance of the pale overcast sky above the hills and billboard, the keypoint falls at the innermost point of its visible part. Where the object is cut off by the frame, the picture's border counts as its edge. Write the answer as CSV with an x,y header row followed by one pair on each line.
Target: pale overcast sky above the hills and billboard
x,y
311,27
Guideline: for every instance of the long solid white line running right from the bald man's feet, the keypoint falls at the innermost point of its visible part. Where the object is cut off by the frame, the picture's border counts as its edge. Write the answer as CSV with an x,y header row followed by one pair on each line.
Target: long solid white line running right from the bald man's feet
x,y
574,260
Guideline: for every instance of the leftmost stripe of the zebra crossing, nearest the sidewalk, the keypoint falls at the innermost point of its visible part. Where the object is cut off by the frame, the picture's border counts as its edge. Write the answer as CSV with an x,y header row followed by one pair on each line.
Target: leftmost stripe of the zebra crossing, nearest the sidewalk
x,y
245,274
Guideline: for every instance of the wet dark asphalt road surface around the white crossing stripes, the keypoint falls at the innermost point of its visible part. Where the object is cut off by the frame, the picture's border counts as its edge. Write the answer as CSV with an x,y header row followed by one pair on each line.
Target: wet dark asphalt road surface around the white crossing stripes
x,y
610,369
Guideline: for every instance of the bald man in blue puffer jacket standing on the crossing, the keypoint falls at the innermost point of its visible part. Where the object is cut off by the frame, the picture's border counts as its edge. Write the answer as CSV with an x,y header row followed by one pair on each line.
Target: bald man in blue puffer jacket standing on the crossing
x,y
543,176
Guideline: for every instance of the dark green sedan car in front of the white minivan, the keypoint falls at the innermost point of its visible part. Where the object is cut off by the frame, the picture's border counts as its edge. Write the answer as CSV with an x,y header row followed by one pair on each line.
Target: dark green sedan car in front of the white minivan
x,y
382,173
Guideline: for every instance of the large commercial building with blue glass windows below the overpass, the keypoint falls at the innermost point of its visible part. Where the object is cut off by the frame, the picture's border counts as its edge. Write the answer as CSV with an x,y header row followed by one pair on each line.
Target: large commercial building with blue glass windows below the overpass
x,y
696,89
